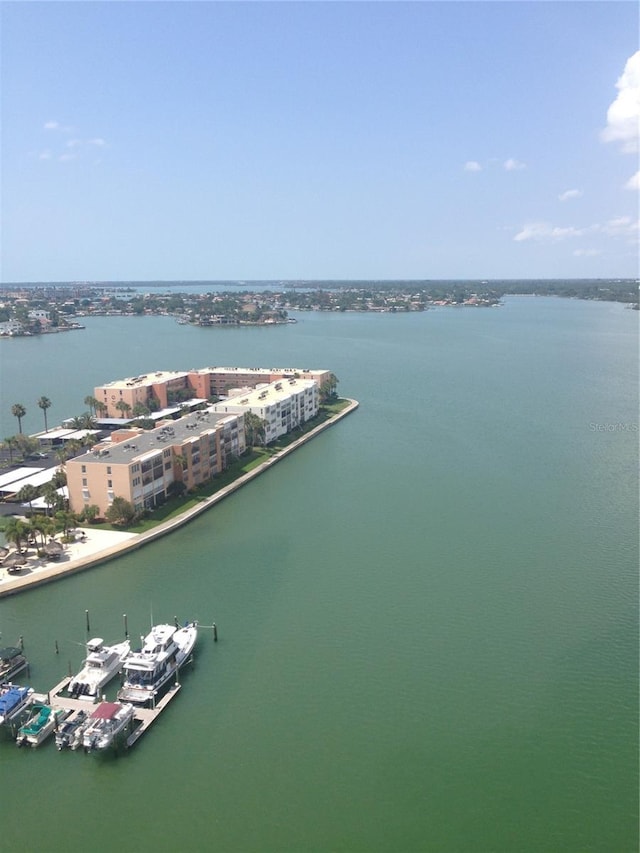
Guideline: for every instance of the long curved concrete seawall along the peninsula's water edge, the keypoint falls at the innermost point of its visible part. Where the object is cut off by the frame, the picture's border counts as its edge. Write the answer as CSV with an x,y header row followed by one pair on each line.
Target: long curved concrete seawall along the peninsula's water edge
x,y
55,572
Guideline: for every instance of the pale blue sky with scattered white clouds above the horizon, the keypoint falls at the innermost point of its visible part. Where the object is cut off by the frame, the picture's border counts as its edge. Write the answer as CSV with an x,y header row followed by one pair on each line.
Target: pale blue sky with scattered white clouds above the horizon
x,y
146,141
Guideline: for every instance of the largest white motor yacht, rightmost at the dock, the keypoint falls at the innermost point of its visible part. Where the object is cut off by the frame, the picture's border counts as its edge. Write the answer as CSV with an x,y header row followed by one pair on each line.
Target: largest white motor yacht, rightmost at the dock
x,y
148,669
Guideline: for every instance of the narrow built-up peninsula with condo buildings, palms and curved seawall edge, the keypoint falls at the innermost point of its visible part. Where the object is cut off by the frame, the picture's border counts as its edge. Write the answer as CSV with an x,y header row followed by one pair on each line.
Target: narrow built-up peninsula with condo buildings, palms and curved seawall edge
x,y
136,484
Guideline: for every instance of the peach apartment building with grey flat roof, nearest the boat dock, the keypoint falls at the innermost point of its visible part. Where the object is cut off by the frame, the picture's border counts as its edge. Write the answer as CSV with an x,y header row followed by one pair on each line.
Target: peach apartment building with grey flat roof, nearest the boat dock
x,y
142,466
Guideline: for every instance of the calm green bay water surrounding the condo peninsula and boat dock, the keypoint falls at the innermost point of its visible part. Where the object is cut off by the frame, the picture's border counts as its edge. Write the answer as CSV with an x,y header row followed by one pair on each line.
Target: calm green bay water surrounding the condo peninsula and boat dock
x,y
428,617
